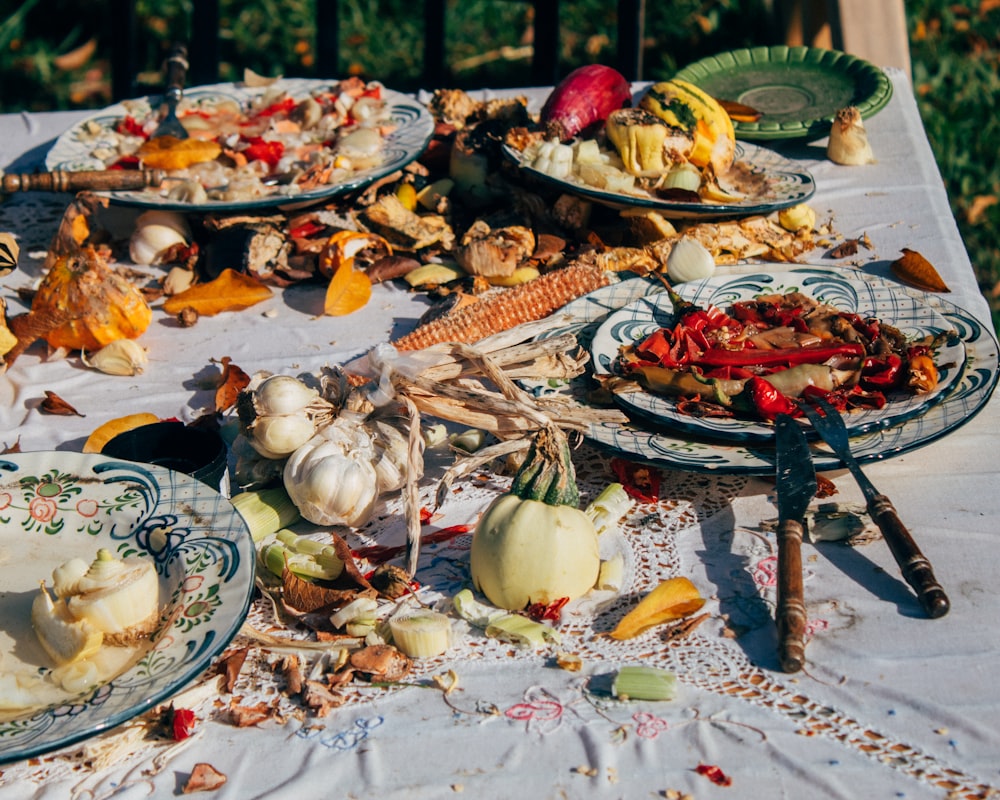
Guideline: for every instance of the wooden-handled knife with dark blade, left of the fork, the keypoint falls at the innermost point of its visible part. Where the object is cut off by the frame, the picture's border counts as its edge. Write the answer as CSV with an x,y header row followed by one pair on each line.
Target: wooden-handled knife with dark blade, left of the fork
x,y
795,480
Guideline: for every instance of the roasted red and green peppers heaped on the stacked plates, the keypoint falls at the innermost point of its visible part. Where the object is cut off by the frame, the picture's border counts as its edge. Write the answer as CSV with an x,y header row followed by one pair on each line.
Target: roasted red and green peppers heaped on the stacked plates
x,y
767,355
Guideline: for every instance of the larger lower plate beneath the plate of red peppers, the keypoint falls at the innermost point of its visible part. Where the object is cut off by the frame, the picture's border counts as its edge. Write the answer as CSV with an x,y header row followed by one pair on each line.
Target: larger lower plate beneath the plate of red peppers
x,y
674,450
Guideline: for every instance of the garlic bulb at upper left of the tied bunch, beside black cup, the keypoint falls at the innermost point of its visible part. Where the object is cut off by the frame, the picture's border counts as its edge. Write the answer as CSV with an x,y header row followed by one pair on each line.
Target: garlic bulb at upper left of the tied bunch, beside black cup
x,y
278,414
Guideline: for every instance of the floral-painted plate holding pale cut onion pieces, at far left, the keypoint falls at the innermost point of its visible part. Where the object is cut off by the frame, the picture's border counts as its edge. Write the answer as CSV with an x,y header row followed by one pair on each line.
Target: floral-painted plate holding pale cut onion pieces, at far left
x,y
58,505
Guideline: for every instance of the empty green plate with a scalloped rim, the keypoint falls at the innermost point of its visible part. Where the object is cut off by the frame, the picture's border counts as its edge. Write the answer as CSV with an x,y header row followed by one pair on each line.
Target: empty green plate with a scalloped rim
x,y
798,89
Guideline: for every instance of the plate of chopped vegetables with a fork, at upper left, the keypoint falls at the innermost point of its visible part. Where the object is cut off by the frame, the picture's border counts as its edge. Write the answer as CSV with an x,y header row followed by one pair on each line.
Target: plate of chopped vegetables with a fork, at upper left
x,y
73,150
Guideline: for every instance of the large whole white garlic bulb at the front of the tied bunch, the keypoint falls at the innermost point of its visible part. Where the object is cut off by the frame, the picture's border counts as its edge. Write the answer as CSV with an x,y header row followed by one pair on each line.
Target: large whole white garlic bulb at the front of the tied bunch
x,y
331,479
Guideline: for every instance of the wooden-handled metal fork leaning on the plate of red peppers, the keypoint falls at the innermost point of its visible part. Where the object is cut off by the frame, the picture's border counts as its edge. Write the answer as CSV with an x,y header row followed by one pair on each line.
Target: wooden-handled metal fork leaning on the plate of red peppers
x,y
917,570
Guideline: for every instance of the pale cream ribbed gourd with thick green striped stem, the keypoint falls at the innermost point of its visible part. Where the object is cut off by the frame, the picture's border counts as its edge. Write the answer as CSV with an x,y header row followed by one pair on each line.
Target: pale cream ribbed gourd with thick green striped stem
x,y
534,545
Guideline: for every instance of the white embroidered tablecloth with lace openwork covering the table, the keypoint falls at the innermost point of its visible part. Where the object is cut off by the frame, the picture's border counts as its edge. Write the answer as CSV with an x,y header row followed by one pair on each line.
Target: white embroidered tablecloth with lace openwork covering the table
x,y
890,705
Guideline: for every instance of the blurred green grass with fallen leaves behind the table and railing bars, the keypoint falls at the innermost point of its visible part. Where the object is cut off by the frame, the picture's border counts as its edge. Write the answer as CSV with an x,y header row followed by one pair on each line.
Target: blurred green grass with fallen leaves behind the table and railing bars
x,y
54,54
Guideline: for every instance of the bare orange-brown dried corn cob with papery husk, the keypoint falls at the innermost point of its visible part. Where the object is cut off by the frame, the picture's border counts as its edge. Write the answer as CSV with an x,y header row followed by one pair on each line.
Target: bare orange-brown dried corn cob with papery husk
x,y
504,310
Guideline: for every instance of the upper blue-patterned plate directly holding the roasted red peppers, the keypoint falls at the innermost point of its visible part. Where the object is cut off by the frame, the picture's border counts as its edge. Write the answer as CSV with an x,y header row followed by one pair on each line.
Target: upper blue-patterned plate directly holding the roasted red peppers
x,y
867,298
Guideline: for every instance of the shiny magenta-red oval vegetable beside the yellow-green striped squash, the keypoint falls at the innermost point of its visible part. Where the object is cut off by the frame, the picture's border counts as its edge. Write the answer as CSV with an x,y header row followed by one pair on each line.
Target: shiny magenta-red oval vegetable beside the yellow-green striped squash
x,y
583,100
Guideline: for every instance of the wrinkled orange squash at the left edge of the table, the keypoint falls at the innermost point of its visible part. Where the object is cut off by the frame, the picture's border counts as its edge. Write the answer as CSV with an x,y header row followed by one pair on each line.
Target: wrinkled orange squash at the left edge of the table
x,y
103,305
